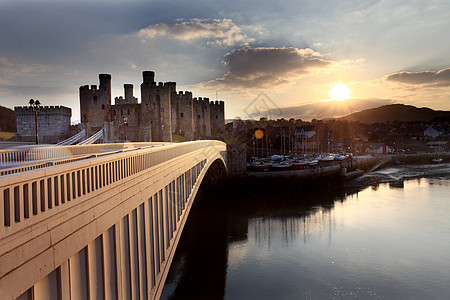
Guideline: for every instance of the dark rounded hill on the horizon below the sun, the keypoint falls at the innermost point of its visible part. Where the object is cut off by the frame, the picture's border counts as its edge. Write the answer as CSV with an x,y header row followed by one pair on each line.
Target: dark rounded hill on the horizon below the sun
x,y
396,112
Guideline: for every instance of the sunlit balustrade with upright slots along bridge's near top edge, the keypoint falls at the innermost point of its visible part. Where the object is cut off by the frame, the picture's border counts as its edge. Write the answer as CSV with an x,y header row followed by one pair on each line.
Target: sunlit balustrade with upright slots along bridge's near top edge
x,y
28,197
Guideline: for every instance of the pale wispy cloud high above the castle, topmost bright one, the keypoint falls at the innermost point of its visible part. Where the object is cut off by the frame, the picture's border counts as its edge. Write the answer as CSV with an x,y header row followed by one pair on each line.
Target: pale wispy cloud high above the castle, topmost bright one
x,y
215,31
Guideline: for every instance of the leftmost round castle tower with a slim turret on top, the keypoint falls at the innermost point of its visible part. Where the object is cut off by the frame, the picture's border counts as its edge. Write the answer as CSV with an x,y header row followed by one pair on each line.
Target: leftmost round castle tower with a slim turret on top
x,y
95,103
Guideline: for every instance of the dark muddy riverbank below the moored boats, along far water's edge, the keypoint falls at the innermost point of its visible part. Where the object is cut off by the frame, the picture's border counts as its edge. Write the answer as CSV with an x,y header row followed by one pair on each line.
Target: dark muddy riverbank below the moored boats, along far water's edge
x,y
373,171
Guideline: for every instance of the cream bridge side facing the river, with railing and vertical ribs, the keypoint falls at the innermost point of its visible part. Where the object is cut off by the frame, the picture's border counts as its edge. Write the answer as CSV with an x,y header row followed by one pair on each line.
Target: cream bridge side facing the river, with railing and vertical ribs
x,y
52,219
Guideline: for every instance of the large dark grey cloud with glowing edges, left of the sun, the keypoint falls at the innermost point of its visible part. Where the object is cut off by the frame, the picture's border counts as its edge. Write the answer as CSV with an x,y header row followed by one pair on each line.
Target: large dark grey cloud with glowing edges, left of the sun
x,y
267,67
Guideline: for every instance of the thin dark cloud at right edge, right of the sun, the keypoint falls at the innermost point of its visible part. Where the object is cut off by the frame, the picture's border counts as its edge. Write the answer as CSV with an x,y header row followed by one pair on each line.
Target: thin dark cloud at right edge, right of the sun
x,y
428,78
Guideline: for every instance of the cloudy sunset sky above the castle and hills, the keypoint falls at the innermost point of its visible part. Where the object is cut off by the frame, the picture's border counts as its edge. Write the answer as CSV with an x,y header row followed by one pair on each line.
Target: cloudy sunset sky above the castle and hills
x,y
290,53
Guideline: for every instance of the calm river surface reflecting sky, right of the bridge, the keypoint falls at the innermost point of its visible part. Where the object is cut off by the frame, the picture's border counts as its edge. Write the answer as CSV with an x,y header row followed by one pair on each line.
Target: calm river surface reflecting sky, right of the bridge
x,y
388,240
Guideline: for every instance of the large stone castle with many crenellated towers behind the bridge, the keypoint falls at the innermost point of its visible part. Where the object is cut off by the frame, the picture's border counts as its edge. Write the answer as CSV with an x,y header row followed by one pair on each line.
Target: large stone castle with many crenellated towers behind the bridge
x,y
162,112
